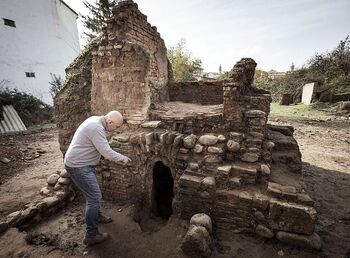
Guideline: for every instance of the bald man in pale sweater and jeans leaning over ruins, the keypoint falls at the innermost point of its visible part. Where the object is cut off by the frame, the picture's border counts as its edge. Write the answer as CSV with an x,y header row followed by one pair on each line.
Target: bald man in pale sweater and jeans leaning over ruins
x,y
83,154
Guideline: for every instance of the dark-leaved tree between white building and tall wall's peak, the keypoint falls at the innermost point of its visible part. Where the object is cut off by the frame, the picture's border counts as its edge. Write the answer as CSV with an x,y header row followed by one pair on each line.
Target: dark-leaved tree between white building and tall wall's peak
x,y
100,12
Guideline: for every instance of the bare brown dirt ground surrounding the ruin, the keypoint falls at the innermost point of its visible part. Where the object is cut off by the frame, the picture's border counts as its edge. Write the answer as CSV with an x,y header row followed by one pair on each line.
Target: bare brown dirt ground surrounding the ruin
x,y
326,175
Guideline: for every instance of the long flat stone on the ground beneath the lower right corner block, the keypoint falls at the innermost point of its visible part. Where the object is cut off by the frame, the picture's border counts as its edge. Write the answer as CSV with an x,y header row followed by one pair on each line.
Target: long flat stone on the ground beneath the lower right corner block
x,y
309,241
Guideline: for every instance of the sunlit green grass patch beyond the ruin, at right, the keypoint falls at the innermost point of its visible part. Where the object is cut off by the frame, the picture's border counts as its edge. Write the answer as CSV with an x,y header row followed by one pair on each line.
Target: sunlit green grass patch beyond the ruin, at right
x,y
299,112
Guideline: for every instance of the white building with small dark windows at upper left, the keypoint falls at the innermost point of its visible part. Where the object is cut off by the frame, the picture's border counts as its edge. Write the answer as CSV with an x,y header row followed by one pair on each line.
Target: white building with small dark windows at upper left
x,y
37,37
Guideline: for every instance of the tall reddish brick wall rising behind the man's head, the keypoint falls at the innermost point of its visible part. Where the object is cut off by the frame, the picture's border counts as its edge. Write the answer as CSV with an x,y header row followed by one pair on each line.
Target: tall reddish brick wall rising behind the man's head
x,y
130,69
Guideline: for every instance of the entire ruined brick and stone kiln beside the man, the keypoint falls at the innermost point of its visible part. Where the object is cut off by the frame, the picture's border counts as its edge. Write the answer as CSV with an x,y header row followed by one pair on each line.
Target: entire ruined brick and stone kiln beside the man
x,y
195,146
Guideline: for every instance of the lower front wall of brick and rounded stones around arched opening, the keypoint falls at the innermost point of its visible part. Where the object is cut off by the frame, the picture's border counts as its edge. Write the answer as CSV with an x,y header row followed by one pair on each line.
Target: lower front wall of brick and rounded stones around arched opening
x,y
213,175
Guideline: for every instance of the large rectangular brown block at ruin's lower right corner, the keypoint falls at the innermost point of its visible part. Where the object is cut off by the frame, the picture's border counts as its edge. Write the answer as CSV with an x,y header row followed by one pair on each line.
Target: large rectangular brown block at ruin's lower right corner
x,y
290,217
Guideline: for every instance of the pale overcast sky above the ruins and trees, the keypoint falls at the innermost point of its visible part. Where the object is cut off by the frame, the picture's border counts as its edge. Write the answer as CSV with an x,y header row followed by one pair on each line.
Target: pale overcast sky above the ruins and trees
x,y
273,32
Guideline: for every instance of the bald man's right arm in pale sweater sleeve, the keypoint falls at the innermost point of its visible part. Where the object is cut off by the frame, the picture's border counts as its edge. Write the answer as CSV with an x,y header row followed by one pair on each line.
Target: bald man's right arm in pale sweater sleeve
x,y
101,144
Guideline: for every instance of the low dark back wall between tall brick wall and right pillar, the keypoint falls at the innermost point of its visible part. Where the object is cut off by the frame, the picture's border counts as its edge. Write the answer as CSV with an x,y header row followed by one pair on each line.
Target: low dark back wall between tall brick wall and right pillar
x,y
205,93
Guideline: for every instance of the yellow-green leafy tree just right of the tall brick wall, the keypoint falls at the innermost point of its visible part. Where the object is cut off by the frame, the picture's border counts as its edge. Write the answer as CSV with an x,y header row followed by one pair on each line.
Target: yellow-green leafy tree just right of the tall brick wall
x,y
185,68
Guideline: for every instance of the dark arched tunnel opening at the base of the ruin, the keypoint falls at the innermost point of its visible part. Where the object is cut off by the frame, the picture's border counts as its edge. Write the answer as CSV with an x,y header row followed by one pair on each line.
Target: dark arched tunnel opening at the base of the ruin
x,y
162,190
